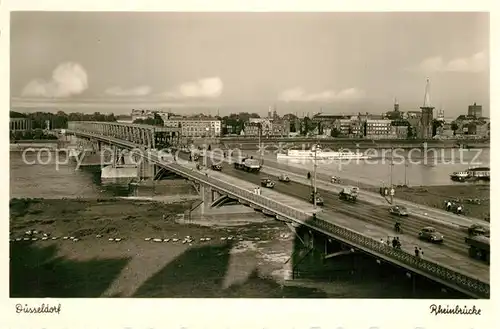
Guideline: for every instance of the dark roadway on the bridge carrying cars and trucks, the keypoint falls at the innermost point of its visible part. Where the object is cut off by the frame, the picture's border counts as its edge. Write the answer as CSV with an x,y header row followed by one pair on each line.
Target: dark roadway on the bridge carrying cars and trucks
x,y
452,252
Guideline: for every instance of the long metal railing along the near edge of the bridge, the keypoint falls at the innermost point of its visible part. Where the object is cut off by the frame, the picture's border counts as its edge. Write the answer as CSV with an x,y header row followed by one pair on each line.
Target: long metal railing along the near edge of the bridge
x,y
349,236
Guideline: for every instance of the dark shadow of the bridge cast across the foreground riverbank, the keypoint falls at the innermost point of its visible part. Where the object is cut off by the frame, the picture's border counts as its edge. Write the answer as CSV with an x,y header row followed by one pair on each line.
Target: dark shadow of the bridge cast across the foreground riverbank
x,y
200,273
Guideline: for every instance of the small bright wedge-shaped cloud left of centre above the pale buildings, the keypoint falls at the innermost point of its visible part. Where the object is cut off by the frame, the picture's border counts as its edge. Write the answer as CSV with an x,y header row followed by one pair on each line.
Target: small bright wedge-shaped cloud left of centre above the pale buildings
x,y
203,88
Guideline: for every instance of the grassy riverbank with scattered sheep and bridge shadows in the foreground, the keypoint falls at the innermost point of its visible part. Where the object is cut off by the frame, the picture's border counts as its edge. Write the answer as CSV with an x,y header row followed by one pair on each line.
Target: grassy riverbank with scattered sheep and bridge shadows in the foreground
x,y
241,258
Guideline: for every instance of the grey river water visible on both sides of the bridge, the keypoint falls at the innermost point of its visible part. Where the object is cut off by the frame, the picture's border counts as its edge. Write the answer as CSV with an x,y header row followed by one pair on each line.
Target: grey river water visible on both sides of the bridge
x,y
51,180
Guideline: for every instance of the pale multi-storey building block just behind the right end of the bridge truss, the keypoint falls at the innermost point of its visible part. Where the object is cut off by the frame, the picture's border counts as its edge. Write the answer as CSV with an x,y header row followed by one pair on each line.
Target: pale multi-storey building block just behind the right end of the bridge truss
x,y
195,127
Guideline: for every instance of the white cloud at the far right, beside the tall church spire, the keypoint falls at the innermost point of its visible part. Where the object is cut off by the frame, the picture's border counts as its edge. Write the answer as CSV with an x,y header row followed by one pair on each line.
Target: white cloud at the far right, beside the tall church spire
x,y
476,63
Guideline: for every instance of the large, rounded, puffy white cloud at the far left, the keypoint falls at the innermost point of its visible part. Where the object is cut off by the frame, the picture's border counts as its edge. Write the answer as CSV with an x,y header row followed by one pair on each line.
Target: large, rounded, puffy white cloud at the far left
x,y
67,79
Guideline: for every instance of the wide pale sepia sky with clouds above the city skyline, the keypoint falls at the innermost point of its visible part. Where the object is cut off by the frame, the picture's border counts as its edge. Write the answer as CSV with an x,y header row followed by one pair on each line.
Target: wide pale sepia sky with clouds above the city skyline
x,y
231,62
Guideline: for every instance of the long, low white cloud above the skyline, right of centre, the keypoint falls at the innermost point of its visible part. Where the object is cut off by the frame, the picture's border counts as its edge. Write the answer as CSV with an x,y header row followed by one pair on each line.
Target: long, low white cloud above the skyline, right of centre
x,y
299,95
